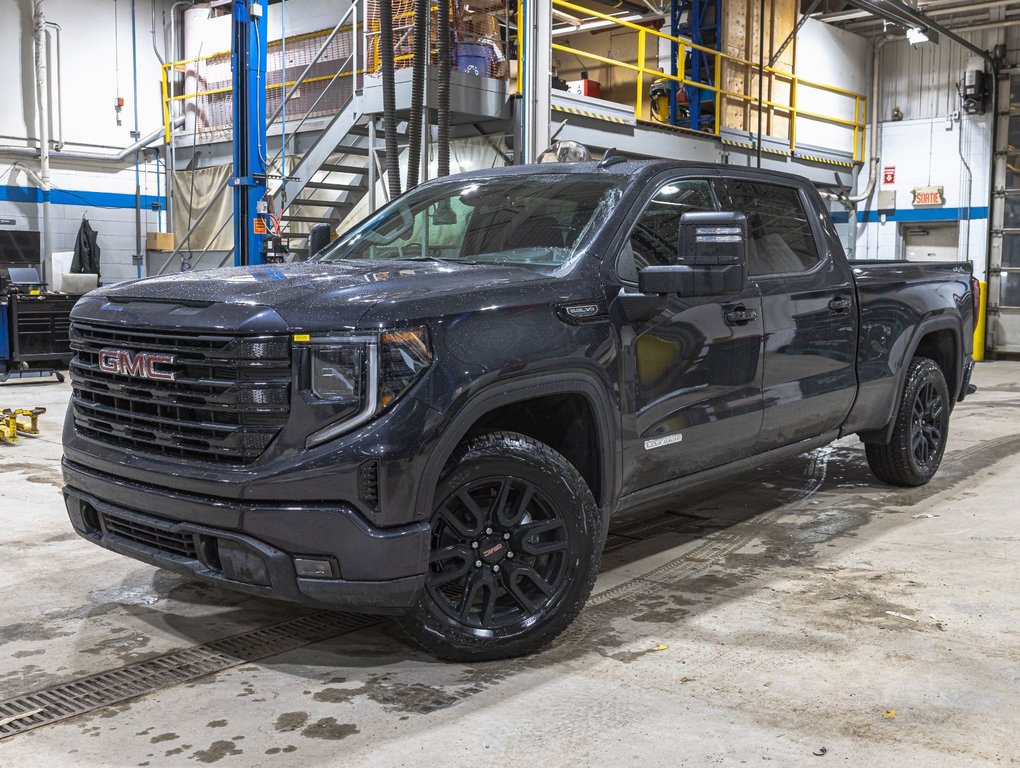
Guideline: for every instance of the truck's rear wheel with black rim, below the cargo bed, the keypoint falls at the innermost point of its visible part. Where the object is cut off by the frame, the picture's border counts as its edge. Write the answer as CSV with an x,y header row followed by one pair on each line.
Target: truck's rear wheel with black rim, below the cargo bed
x,y
912,457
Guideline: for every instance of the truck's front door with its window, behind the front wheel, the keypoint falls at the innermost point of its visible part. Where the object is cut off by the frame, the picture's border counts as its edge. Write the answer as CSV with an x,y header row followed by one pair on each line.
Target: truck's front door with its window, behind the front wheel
x,y
692,373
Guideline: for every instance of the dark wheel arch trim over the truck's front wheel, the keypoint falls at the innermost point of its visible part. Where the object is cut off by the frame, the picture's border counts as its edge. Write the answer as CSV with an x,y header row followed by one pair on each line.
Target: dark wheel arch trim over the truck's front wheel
x,y
503,399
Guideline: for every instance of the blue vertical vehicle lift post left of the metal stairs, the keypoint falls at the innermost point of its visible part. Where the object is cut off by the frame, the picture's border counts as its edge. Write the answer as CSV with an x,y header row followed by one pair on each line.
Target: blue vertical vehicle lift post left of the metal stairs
x,y
249,53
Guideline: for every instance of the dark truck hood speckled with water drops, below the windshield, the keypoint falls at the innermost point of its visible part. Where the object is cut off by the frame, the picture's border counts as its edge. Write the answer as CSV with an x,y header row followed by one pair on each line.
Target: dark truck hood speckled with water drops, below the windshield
x,y
327,296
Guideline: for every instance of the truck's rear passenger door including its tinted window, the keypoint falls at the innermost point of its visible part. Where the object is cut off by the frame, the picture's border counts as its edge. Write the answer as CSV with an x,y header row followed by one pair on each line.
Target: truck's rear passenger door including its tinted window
x,y
810,320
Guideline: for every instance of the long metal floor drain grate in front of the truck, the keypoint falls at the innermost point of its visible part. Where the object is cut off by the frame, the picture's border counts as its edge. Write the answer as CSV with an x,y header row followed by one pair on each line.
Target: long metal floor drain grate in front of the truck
x,y
87,694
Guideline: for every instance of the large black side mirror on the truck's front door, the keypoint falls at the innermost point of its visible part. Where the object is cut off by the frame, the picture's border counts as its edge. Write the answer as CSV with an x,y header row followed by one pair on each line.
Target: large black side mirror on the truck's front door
x,y
712,259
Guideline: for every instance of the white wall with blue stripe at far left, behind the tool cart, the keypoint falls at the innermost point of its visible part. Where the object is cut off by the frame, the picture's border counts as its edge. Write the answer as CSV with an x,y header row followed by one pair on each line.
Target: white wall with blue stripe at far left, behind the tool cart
x,y
95,39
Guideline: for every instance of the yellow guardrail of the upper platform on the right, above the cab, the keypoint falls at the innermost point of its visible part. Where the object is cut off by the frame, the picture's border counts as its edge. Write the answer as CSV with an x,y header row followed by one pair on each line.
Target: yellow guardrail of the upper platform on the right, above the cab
x,y
857,125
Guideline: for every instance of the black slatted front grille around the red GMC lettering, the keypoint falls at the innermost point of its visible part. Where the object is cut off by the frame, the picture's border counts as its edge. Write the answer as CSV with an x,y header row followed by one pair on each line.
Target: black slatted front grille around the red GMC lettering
x,y
230,397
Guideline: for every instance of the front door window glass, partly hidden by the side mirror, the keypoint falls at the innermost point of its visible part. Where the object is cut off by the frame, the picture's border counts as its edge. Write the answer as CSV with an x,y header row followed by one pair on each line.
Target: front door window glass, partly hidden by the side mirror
x,y
656,236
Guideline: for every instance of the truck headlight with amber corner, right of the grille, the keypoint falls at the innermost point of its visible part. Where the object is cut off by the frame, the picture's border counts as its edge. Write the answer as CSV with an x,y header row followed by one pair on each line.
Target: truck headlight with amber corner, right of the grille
x,y
364,375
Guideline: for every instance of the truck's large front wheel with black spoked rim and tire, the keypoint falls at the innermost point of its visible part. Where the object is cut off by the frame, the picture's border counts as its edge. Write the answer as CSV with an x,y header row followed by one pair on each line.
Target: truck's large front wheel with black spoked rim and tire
x,y
508,592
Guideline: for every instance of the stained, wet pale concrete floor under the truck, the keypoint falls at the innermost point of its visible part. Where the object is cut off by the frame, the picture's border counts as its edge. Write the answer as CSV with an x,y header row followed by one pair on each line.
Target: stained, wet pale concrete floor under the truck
x,y
800,609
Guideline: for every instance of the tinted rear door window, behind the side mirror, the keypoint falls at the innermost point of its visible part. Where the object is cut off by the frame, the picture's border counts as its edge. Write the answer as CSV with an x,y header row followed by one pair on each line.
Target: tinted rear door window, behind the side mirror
x,y
781,237
